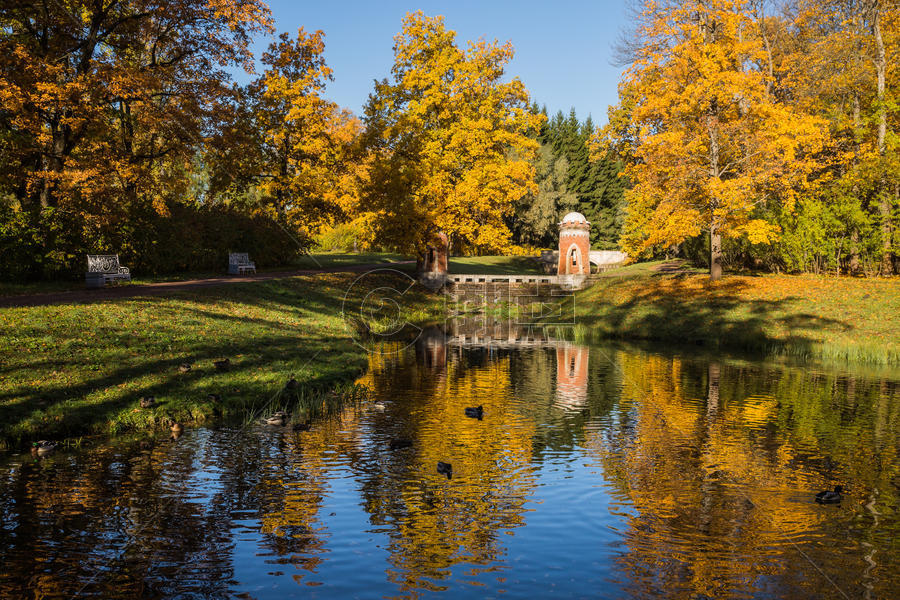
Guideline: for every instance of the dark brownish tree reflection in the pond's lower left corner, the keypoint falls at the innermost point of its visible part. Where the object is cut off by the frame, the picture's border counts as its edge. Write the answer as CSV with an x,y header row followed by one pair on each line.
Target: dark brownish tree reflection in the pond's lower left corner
x,y
117,523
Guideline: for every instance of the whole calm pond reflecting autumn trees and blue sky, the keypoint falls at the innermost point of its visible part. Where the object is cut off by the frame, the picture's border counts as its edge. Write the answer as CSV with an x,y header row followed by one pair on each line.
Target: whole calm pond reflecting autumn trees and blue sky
x,y
593,472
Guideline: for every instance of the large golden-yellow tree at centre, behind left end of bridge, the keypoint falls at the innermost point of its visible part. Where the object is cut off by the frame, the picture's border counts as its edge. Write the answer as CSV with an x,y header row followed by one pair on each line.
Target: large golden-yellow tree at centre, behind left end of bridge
x,y
448,140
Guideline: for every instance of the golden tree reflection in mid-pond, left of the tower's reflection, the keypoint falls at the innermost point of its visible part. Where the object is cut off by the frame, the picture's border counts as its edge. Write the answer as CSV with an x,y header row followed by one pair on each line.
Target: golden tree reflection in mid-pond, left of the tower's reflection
x,y
435,523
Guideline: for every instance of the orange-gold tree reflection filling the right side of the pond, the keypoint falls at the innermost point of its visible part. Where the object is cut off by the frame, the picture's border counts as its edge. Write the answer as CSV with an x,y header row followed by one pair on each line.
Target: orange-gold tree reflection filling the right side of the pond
x,y
717,482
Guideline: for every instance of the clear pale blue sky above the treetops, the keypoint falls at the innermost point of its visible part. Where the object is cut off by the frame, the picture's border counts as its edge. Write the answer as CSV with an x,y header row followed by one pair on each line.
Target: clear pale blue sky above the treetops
x,y
563,47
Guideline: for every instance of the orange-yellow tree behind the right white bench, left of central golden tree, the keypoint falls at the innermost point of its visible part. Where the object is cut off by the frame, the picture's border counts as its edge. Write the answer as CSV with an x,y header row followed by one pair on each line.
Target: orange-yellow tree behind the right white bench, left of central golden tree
x,y
281,138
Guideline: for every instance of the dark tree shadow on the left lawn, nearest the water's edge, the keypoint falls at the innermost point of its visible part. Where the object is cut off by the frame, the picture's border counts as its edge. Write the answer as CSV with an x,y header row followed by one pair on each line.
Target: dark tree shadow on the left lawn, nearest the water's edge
x,y
95,403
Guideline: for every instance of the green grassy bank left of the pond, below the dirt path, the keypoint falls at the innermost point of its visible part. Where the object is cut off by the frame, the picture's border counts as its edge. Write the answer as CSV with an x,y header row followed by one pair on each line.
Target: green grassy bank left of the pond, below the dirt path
x,y
70,370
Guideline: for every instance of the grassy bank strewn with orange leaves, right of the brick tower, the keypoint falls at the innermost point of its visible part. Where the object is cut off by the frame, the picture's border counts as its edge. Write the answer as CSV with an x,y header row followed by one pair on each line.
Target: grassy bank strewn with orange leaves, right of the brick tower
x,y
832,318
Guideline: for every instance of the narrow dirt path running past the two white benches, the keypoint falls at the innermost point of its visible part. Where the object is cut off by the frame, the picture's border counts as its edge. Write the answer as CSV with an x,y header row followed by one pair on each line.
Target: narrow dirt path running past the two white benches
x,y
161,289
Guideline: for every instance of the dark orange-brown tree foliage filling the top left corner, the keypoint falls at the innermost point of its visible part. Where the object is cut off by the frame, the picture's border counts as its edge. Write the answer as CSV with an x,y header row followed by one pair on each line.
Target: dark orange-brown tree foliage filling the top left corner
x,y
99,95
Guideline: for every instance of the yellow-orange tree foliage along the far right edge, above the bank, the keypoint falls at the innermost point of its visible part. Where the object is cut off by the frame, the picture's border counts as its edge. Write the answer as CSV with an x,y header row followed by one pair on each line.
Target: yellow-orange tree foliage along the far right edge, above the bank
x,y
838,67
